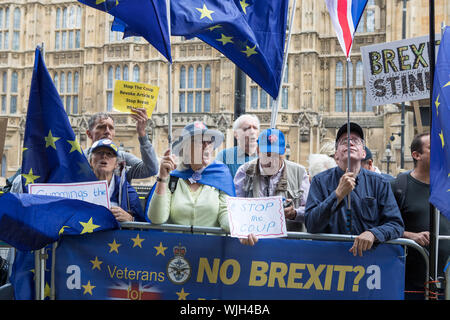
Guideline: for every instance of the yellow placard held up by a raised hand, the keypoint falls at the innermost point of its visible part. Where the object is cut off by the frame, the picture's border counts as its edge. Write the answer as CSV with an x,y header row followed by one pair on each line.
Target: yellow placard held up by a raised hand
x,y
129,95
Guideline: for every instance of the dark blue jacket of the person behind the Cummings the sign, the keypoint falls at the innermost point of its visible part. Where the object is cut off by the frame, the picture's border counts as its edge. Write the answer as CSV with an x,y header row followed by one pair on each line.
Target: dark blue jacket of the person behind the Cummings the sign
x,y
131,204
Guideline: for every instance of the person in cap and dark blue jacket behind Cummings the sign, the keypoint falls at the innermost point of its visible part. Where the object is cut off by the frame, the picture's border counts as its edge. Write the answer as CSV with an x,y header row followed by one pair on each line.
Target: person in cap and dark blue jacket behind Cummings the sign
x,y
124,200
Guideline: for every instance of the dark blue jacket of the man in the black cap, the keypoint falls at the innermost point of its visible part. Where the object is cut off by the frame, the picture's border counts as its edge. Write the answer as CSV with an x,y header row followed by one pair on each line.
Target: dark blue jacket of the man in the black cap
x,y
373,206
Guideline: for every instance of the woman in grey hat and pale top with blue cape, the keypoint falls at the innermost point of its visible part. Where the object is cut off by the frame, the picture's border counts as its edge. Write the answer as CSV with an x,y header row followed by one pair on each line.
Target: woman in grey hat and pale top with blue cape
x,y
202,185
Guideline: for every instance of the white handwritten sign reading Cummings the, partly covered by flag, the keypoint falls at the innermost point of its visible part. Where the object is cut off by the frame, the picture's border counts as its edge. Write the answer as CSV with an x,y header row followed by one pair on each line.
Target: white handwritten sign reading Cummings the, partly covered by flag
x,y
94,191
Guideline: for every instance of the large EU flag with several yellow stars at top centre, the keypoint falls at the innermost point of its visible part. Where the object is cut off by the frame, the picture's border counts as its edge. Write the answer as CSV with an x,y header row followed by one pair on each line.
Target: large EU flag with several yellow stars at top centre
x,y
251,33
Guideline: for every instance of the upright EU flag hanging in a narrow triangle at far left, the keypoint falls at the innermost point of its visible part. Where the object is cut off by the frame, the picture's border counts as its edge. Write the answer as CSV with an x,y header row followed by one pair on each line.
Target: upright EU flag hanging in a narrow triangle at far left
x,y
51,152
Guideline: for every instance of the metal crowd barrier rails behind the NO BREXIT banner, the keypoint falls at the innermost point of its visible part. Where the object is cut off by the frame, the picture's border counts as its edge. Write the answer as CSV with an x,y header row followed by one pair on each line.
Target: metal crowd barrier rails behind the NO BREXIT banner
x,y
40,254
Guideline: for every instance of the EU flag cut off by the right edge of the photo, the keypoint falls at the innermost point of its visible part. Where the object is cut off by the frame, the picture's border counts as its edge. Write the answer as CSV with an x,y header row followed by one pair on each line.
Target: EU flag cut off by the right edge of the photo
x,y
440,130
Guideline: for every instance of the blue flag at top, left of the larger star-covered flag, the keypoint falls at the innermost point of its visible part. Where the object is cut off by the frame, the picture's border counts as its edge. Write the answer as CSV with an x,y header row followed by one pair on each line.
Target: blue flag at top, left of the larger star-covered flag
x,y
136,17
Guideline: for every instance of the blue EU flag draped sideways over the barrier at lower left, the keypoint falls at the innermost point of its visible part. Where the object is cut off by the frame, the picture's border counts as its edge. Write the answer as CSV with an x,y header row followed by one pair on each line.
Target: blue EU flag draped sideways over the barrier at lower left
x,y
30,222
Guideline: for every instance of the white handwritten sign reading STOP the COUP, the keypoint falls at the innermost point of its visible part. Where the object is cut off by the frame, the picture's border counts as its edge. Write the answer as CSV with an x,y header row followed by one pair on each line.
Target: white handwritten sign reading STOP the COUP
x,y
264,217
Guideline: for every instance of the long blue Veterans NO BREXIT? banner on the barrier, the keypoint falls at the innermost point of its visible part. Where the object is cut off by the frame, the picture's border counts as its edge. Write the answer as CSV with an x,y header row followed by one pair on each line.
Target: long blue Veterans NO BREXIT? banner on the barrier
x,y
129,264
